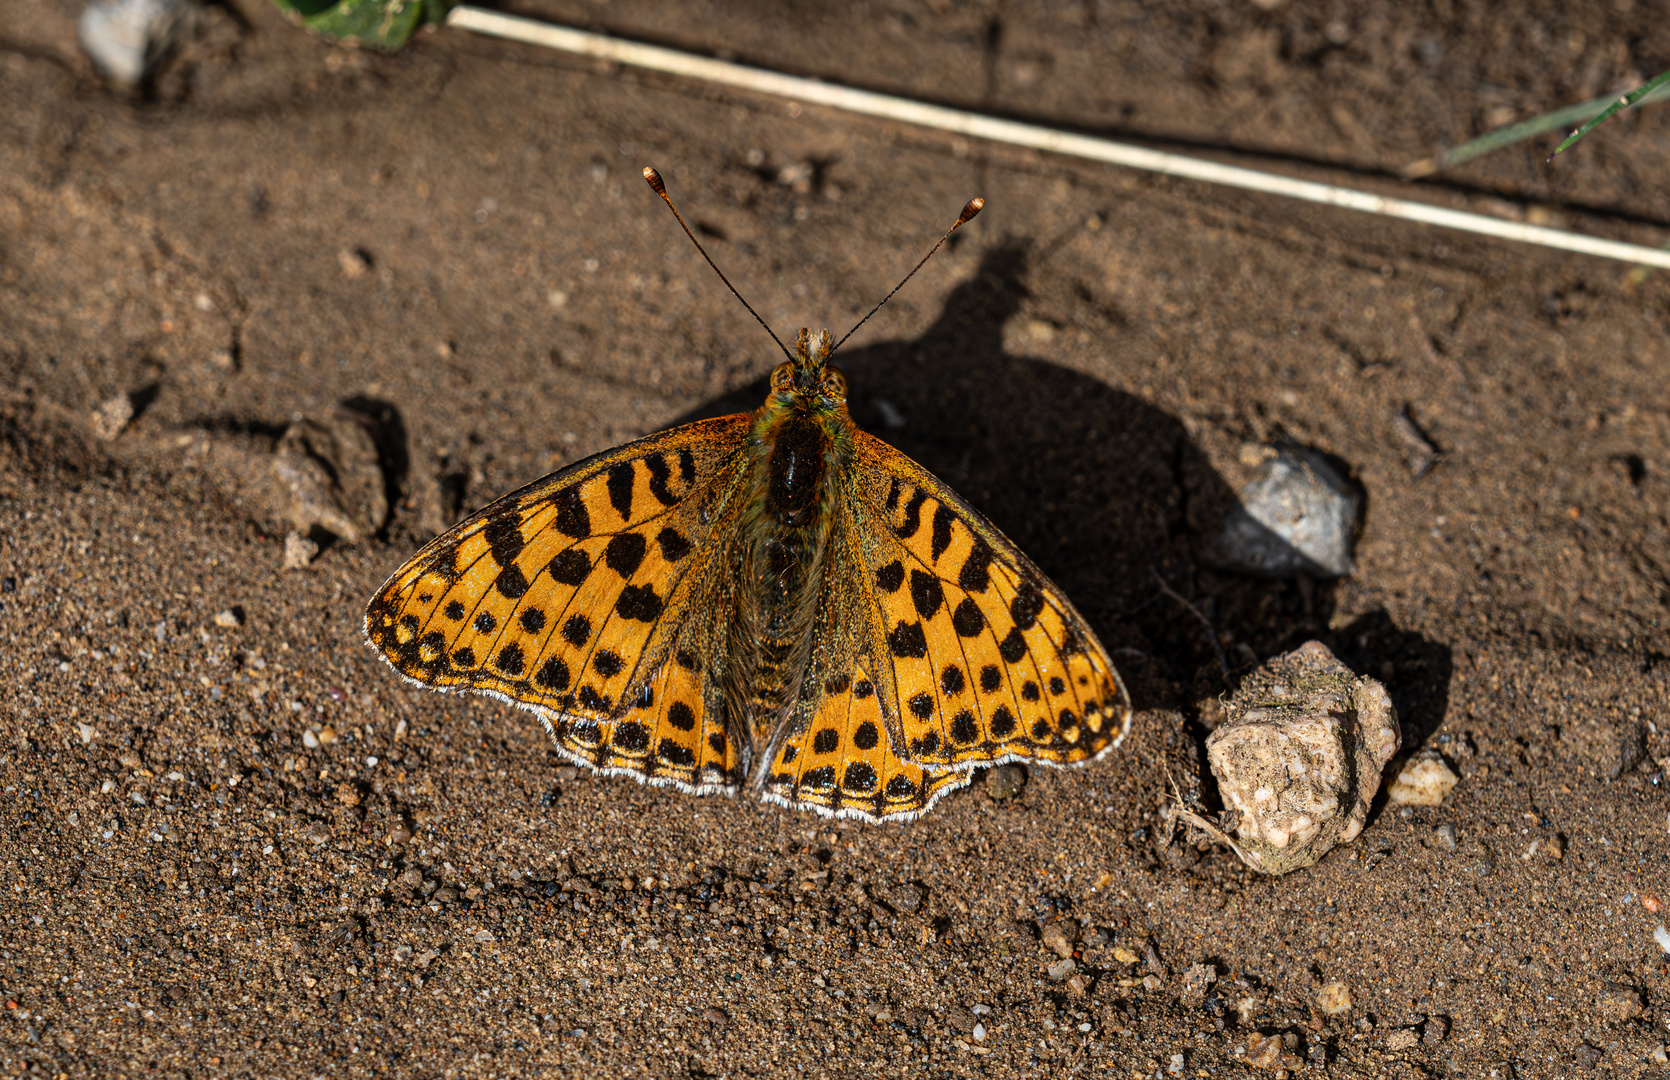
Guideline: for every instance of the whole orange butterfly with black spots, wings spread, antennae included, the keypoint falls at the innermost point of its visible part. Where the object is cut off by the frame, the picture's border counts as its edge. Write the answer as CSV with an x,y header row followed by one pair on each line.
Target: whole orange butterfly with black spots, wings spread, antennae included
x,y
771,602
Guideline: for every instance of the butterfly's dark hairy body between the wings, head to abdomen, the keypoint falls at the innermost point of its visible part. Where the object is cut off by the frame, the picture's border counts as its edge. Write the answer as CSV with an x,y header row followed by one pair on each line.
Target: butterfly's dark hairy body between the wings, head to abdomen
x,y
801,445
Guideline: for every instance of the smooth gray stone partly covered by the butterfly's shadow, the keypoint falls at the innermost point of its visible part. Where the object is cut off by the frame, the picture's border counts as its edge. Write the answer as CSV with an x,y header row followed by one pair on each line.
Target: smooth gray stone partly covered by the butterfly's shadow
x,y
1297,517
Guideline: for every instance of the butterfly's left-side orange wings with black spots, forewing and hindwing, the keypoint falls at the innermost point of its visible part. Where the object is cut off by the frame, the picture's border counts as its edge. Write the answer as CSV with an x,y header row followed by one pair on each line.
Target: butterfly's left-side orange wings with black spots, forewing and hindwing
x,y
584,598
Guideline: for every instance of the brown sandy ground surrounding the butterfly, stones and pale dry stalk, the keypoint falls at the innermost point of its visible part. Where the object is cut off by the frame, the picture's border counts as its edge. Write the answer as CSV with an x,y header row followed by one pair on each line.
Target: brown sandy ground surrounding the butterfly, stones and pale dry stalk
x,y
243,847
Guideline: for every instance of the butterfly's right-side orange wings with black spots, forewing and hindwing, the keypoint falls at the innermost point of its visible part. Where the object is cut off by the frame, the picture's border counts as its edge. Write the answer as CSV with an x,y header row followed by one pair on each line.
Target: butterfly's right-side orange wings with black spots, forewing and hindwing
x,y
943,650
